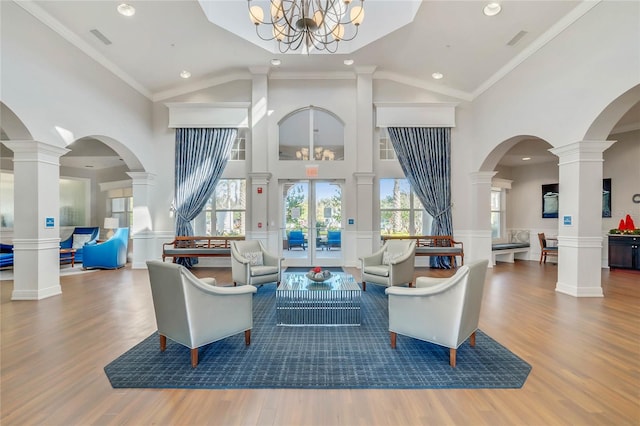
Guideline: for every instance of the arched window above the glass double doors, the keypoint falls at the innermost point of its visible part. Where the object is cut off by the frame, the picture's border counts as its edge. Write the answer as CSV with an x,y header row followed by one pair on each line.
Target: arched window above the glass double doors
x,y
311,134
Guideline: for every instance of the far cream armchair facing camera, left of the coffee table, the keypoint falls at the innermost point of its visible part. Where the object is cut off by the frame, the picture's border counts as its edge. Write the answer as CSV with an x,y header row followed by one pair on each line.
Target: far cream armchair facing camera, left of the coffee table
x,y
252,264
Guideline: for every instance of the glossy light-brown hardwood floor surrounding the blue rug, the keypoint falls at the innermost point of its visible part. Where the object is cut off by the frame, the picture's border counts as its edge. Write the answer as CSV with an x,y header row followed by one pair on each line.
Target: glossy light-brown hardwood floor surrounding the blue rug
x,y
584,352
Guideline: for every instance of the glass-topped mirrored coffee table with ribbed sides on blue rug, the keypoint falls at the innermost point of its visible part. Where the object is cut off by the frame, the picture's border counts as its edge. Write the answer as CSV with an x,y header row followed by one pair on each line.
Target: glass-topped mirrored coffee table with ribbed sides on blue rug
x,y
303,302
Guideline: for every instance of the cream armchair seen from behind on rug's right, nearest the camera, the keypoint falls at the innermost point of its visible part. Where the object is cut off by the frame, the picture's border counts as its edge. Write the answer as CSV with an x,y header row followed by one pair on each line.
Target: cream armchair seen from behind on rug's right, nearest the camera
x,y
444,311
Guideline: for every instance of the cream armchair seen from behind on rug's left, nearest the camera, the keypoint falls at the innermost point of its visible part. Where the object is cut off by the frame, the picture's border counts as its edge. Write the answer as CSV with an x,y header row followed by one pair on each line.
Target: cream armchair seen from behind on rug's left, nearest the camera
x,y
194,312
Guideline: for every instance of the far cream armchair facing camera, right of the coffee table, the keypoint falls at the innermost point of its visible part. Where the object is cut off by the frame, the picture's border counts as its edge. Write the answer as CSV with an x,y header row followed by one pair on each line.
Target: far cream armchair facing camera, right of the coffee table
x,y
393,264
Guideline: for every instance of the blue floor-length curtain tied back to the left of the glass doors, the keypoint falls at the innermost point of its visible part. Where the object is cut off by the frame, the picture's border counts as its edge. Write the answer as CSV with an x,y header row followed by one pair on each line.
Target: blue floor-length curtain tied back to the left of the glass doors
x,y
201,156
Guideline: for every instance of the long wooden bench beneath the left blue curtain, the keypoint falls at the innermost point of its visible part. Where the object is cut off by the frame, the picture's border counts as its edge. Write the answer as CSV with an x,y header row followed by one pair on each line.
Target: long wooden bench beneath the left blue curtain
x,y
198,246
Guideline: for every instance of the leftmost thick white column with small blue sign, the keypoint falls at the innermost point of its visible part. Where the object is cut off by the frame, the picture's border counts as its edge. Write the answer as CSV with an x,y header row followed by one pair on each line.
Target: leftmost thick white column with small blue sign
x,y
36,232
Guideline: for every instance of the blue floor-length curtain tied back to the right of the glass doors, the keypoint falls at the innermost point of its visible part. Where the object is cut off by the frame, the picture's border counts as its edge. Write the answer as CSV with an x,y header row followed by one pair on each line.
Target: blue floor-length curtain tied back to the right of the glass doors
x,y
425,157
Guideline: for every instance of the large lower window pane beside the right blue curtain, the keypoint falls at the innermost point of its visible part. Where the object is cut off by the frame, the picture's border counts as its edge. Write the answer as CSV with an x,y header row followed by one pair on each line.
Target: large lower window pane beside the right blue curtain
x,y
401,212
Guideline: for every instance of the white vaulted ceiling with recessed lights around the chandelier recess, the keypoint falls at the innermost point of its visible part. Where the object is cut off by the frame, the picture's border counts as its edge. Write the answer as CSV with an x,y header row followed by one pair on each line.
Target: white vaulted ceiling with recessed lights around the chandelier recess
x,y
149,50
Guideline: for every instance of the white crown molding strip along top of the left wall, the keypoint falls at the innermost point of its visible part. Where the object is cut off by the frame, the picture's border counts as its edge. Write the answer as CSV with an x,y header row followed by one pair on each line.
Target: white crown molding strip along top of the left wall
x,y
38,13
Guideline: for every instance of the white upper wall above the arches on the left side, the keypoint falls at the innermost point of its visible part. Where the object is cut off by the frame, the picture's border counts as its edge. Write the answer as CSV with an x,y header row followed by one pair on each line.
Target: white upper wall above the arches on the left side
x,y
47,82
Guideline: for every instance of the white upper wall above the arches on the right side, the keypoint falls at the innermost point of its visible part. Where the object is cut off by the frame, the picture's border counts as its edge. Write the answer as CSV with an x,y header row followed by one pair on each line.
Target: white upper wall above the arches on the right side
x,y
557,93
